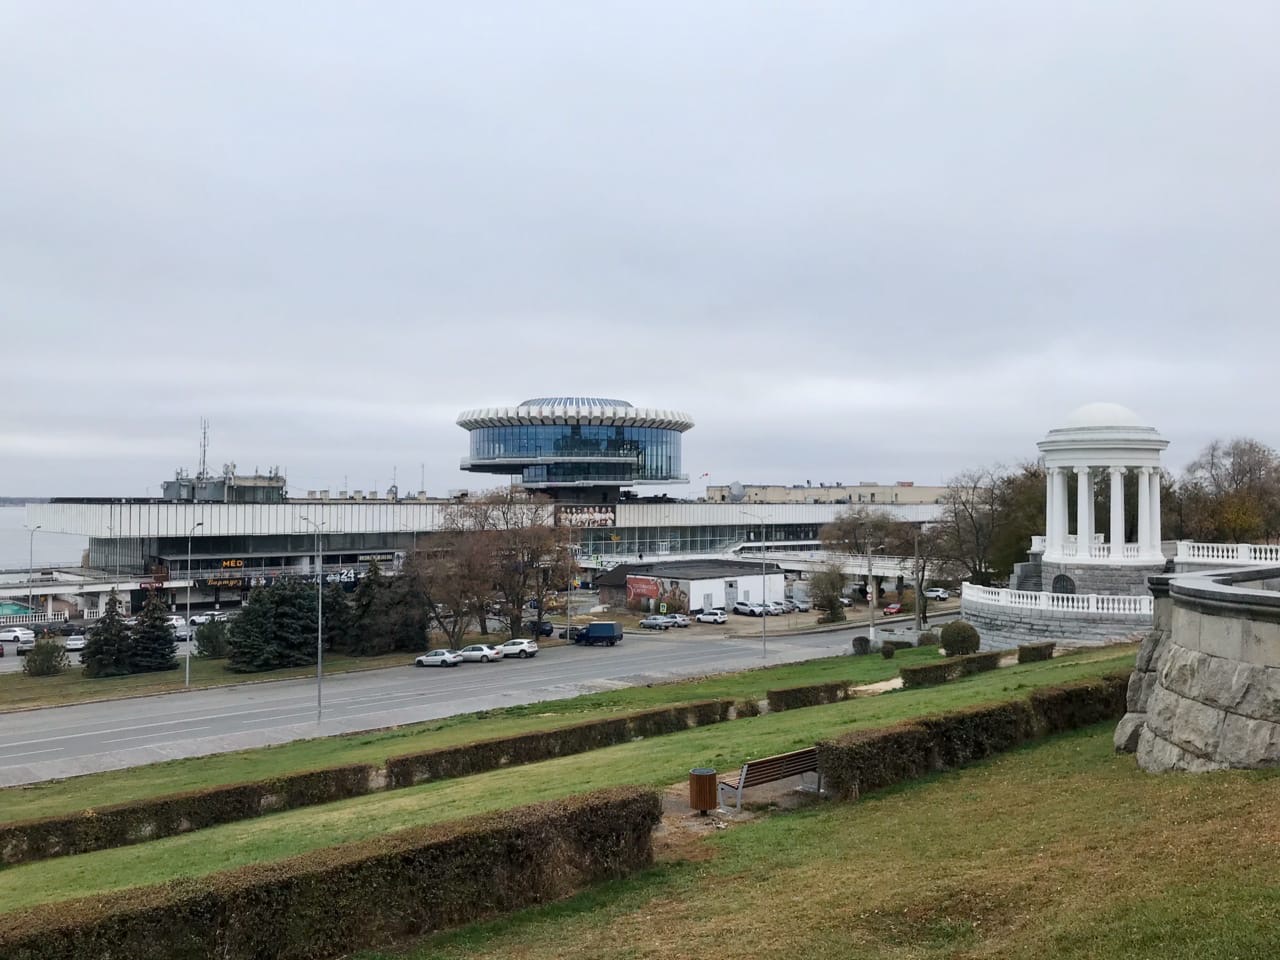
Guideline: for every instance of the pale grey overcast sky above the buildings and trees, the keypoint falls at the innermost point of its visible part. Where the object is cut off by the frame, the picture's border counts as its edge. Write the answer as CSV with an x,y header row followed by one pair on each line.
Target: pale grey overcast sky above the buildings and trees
x,y
854,241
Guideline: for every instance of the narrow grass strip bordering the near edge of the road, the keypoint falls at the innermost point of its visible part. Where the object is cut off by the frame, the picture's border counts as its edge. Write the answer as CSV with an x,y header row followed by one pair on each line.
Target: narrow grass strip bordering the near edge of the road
x,y
176,776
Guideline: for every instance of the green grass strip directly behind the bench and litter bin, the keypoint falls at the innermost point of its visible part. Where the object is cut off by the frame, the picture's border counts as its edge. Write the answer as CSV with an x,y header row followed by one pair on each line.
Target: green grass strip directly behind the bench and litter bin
x,y
657,762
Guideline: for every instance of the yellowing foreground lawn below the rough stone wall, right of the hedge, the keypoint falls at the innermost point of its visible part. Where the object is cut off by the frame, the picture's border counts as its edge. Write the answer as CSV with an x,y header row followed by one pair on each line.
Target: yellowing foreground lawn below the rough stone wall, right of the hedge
x,y
1059,851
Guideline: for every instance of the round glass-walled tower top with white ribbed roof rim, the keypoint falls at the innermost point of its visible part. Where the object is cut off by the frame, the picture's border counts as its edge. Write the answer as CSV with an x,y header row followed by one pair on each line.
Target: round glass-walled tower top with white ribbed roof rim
x,y
578,449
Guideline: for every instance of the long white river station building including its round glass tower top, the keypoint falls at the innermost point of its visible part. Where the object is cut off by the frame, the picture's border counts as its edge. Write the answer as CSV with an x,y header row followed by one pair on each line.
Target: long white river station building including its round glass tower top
x,y
588,455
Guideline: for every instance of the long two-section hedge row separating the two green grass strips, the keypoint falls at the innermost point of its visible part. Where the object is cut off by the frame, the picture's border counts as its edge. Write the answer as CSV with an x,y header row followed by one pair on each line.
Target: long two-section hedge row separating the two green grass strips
x,y
136,822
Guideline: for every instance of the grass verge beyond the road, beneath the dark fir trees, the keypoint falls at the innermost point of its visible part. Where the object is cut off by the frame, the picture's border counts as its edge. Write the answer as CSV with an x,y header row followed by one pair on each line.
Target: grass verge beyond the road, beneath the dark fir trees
x,y
19,692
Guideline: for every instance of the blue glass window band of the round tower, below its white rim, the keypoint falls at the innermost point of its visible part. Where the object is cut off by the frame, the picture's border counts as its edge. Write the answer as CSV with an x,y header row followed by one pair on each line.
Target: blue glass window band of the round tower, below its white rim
x,y
646,452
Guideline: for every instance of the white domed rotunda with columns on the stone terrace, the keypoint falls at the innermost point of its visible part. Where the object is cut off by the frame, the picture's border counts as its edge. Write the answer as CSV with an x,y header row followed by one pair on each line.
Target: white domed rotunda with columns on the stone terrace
x,y
1100,444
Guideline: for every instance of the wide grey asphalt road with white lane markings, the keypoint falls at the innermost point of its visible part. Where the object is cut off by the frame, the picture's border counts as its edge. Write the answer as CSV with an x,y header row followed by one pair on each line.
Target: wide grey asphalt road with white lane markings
x,y
65,742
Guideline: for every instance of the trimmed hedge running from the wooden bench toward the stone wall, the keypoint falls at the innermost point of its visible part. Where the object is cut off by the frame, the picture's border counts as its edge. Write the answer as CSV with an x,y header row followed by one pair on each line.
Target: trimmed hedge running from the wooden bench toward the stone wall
x,y
872,760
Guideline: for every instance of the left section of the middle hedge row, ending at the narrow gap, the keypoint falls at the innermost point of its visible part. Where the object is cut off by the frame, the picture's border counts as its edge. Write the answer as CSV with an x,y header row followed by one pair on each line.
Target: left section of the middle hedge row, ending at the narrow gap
x,y
122,825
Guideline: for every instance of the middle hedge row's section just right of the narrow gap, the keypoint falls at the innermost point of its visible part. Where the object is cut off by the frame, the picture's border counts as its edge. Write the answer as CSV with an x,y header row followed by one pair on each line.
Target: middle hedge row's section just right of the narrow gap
x,y
483,756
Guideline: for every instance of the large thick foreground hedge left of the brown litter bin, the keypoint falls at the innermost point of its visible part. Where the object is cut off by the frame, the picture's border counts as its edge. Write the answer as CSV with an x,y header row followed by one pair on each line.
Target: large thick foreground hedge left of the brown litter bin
x,y
330,903
